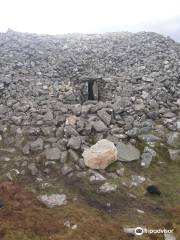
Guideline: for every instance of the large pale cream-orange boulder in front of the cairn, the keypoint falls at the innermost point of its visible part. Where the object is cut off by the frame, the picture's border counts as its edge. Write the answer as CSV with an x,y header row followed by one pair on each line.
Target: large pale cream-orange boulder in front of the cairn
x,y
100,155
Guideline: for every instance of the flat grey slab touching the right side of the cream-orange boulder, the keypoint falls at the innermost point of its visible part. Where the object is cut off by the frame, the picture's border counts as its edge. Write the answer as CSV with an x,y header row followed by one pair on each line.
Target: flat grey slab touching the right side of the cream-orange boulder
x,y
127,152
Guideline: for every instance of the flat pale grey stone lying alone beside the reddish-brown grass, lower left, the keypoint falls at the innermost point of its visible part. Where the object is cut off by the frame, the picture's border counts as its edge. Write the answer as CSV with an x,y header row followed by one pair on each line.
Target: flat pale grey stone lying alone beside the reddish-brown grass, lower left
x,y
54,200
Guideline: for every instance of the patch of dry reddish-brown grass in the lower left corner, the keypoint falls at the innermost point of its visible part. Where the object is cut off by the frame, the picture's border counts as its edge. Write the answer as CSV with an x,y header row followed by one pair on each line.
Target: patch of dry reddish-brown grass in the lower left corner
x,y
23,218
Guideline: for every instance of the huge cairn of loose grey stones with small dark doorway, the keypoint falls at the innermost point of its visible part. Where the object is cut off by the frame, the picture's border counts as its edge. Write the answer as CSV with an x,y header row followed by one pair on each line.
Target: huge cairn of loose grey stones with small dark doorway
x,y
48,115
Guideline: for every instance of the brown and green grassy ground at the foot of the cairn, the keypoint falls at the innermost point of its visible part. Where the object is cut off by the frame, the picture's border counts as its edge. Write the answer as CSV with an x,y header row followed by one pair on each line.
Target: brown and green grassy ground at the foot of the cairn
x,y
24,218
